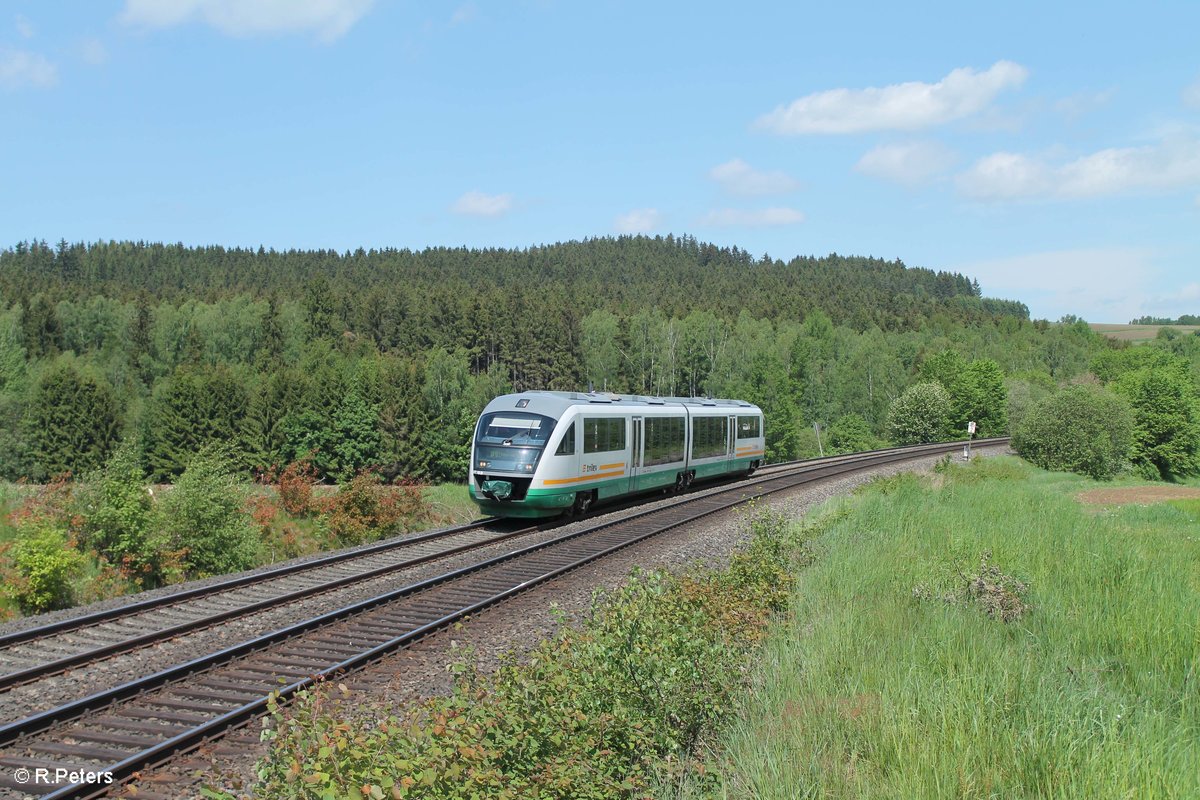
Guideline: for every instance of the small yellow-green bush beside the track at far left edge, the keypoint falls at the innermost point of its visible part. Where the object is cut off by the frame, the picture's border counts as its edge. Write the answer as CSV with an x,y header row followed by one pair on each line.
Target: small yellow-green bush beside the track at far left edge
x,y
47,570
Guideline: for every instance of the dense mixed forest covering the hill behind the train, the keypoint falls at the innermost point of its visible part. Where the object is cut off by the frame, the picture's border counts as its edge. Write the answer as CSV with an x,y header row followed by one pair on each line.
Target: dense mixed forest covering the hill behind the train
x,y
382,359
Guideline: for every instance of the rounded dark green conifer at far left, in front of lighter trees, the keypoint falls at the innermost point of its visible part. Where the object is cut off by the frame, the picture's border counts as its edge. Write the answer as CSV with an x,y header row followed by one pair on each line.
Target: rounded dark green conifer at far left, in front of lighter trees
x,y
73,424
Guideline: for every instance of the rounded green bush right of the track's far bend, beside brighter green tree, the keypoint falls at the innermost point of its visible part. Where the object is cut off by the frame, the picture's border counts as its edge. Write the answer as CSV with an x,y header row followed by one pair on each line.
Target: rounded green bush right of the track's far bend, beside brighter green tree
x,y
1079,430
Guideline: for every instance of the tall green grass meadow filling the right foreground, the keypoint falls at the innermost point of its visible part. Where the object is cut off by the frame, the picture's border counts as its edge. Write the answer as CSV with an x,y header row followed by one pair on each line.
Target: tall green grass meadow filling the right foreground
x,y
983,635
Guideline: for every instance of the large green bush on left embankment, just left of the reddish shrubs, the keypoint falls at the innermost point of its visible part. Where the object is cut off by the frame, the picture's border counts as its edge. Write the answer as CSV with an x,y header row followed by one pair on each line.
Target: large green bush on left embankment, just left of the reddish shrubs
x,y
202,518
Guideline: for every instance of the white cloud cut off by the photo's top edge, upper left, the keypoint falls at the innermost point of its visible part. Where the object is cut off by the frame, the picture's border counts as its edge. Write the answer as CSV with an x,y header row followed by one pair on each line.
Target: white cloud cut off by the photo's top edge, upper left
x,y
328,20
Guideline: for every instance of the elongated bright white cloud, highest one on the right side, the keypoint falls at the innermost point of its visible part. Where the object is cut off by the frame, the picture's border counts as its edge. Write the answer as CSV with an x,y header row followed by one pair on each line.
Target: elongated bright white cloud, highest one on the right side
x,y
905,107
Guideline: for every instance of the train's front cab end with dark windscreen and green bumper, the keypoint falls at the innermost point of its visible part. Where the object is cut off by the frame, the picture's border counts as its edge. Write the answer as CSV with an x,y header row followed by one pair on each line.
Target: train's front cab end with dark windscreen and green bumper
x,y
506,455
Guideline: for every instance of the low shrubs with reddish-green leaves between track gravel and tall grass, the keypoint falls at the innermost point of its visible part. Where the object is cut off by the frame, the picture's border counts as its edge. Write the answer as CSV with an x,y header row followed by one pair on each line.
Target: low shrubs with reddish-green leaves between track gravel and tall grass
x,y
601,712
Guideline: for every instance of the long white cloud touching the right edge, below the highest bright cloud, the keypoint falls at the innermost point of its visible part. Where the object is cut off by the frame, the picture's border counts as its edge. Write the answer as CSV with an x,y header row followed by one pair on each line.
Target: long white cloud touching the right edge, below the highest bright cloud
x,y
1009,176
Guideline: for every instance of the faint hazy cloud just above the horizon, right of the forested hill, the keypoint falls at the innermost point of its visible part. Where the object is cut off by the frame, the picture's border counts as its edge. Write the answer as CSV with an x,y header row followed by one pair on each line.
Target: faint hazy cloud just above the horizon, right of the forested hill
x,y
1101,286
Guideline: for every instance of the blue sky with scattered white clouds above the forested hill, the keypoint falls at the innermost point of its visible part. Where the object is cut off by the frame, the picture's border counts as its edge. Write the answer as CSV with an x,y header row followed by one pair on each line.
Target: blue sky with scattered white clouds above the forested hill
x,y
1051,151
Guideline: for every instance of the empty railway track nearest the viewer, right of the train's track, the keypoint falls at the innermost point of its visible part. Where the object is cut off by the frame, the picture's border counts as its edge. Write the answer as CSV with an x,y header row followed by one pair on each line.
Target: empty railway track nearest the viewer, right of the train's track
x,y
149,720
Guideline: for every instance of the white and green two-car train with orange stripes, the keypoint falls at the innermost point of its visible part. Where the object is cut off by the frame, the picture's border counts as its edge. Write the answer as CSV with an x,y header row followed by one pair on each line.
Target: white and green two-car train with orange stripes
x,y
545,454
